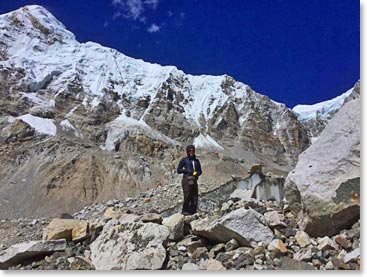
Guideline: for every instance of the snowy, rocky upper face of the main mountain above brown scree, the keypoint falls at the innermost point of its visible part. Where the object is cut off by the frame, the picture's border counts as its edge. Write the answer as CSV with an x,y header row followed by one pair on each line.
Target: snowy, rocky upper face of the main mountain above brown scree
x,y
100,94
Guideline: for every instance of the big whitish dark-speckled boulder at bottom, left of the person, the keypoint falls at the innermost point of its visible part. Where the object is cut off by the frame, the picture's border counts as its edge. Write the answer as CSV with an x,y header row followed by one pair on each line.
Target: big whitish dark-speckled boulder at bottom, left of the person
x,y
130,246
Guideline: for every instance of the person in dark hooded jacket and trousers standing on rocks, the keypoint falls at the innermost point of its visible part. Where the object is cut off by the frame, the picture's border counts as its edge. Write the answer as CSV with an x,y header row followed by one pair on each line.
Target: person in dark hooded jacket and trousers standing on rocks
x,y
191,169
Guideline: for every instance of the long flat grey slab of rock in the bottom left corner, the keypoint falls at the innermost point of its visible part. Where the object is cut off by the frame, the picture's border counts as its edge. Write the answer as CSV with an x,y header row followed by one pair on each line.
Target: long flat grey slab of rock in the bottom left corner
x,y
17,253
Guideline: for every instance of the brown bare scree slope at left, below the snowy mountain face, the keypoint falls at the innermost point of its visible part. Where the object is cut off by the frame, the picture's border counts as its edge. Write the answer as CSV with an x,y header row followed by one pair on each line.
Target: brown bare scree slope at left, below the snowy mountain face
x,y
63,175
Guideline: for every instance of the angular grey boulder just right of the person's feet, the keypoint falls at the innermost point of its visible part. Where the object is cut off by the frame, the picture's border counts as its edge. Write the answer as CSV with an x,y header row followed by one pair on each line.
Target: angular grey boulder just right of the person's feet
x,y
245,226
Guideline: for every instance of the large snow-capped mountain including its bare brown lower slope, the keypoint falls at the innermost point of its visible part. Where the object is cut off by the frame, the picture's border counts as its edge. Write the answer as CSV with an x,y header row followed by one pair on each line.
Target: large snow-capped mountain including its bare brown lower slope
x,y
85,123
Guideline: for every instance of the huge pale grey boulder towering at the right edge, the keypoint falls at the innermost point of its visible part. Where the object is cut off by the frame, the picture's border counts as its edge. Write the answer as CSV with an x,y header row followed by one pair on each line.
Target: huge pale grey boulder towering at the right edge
x,y
324,188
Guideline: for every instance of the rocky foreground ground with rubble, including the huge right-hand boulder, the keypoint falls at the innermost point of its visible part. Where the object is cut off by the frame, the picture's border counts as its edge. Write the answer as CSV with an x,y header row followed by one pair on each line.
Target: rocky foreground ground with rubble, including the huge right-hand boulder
x,y
314,227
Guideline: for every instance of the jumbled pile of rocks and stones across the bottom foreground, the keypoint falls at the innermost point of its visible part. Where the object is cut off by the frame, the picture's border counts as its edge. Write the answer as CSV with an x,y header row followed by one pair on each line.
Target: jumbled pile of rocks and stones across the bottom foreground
x,y
238,235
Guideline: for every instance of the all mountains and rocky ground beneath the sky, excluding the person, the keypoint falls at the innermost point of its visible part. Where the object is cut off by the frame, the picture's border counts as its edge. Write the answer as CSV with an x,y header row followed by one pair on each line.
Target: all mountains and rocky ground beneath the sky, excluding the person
x,y
89,144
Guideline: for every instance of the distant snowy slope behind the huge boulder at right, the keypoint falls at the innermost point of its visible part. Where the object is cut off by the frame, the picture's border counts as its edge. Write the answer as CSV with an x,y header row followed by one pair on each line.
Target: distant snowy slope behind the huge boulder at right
x,y
320,110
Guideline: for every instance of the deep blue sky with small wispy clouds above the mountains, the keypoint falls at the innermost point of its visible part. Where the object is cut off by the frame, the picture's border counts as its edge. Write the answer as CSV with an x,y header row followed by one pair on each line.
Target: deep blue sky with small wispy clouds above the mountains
x,y
295,52
